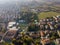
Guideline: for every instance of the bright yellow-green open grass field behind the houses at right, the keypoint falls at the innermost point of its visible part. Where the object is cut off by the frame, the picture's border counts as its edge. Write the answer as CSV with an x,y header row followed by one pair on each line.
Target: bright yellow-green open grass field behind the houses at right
x,y
47,14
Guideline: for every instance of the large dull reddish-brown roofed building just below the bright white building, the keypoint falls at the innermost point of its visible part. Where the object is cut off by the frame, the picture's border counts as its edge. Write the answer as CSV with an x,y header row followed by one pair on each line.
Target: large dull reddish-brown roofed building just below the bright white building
x,y
9,35
